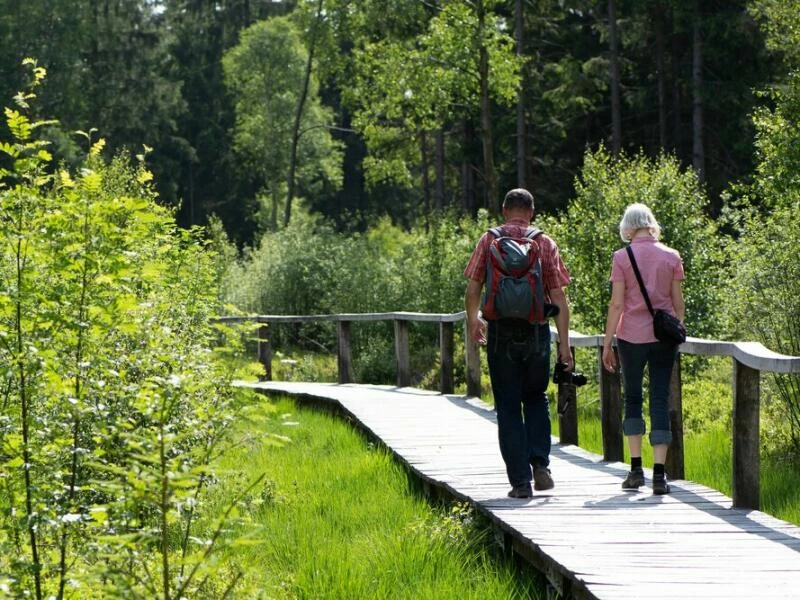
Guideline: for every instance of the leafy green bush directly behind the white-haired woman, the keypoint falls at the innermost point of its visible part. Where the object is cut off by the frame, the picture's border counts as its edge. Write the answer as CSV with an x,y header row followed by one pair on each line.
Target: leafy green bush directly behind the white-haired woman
x,y
588,234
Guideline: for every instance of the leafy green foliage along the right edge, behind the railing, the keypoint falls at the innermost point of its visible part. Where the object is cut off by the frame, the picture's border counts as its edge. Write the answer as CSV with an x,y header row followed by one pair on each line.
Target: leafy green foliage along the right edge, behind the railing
x,y
762,284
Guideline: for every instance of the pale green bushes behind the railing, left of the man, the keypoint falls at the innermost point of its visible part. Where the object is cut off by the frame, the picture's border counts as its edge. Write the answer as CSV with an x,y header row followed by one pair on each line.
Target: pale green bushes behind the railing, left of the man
x,y
307,268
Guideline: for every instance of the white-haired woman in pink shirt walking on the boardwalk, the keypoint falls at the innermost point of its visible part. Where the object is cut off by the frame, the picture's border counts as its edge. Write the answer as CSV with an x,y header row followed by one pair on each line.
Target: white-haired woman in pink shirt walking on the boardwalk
x,y
630,320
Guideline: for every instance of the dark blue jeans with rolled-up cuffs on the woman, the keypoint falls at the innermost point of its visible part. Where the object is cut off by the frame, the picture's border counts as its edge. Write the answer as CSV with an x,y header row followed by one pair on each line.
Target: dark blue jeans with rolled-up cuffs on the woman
x,y
659,359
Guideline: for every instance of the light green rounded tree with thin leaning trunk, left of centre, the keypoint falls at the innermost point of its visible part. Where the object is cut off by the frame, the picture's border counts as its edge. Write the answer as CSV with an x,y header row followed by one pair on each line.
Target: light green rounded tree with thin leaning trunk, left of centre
x,y
266,73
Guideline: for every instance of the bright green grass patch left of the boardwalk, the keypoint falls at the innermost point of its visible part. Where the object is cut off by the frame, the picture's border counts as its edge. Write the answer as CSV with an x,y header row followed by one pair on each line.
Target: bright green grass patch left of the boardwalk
x,y
335,518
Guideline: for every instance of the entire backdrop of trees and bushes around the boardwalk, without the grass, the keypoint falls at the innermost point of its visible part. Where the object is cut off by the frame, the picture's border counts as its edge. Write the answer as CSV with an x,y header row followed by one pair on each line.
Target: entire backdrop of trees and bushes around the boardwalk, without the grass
x,y
169,161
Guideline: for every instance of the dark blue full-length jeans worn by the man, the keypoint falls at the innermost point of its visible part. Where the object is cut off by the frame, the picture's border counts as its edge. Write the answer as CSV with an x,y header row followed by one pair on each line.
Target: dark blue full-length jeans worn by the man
x,y
519,367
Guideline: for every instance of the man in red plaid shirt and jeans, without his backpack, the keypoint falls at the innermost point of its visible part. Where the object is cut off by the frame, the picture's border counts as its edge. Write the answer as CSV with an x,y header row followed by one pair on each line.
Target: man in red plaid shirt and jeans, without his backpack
x,y
518,349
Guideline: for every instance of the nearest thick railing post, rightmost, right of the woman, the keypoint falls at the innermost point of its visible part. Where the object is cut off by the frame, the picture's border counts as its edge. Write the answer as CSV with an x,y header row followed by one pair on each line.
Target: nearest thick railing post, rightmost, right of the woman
x,y
746,433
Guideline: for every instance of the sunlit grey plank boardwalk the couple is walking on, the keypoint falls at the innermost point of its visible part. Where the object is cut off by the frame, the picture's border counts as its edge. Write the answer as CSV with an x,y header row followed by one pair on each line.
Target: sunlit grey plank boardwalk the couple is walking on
x,y
590,538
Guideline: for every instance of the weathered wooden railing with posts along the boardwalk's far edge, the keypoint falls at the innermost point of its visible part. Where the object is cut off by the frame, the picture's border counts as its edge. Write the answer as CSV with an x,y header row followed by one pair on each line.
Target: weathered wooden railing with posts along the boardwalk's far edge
x,y
750,359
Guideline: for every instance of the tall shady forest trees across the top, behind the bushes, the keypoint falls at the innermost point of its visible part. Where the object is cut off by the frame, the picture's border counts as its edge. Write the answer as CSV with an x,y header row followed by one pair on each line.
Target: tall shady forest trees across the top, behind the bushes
x,y
421,95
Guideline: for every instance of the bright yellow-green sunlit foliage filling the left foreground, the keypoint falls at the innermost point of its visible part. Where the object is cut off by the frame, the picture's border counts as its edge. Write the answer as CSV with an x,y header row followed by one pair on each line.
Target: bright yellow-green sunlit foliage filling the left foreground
x,y
114,402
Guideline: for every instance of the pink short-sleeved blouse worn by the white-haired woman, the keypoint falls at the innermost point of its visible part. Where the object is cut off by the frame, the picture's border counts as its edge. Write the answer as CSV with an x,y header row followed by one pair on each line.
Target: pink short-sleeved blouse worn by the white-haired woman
x,y
659,266
